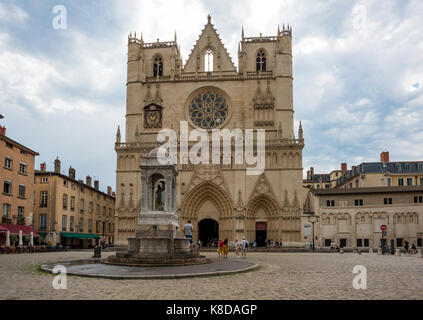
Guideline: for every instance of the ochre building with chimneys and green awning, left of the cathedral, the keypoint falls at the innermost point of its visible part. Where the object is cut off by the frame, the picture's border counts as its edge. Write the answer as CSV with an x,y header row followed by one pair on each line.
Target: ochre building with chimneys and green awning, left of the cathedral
x,y
72,212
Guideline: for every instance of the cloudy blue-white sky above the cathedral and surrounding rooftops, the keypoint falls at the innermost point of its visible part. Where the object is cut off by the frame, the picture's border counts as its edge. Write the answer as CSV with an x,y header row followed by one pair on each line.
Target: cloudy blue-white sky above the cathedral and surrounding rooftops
x,y
358,73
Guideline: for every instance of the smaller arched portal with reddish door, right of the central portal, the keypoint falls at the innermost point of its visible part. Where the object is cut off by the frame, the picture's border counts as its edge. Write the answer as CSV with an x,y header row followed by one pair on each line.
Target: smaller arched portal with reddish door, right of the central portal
x,y
262,220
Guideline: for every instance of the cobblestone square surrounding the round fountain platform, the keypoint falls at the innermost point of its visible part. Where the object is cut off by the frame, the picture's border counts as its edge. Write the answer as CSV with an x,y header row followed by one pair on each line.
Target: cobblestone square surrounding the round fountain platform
x,y
282,276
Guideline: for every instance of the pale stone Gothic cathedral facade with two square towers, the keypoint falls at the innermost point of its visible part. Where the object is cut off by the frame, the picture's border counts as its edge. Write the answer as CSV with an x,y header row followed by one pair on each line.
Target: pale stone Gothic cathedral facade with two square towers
x,y
208,92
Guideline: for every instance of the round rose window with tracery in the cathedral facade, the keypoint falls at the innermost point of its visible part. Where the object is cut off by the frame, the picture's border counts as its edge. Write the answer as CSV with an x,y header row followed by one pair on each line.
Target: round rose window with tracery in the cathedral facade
x,y
208,109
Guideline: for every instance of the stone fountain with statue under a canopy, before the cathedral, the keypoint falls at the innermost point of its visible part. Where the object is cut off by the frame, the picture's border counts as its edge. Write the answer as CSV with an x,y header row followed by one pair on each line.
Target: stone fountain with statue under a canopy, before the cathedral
x,y
156,242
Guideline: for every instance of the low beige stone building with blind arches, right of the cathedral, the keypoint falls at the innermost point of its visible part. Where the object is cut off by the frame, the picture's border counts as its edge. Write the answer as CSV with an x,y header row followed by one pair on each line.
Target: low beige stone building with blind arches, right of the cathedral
x,y
352,217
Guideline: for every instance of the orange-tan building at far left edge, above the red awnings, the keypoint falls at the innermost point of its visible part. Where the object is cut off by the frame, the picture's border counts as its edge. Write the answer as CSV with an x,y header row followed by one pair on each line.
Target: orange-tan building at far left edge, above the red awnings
x,y
17,181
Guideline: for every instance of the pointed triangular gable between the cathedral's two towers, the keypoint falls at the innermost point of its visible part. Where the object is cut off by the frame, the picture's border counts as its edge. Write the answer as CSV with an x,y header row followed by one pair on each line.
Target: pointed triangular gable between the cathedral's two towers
x,y
209,39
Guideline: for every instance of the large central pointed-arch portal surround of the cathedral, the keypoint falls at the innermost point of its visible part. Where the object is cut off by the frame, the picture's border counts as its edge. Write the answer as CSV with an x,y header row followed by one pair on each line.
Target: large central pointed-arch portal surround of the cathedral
x,y
208,201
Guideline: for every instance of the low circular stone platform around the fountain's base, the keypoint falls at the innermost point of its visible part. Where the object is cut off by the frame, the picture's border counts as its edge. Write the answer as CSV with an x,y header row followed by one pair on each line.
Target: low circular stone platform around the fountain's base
x,y
93,268
